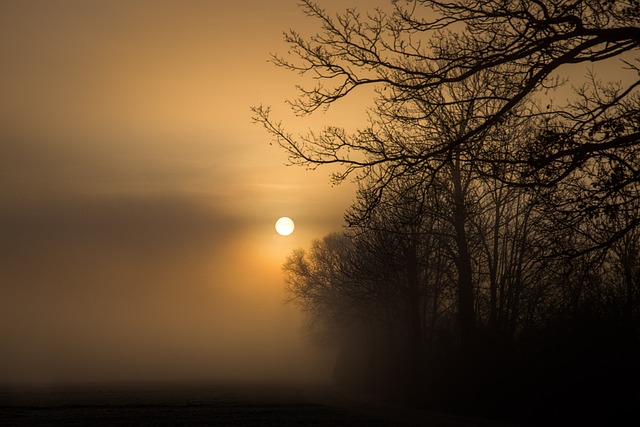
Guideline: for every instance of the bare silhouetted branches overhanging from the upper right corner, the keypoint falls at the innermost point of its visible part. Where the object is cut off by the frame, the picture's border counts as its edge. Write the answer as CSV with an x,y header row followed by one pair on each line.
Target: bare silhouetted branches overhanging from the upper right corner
x,y
518,50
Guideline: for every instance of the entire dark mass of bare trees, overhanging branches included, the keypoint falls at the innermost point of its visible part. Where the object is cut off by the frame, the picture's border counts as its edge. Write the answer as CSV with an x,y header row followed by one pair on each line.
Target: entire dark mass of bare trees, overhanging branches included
x,y
490,262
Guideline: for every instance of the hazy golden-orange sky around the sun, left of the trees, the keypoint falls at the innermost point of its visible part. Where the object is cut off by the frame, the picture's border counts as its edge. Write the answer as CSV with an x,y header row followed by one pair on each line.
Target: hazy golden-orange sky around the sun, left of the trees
x,y
137,199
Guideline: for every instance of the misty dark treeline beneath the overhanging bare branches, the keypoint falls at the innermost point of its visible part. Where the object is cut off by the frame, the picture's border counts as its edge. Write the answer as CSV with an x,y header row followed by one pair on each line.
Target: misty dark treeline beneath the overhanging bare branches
x,y
552,331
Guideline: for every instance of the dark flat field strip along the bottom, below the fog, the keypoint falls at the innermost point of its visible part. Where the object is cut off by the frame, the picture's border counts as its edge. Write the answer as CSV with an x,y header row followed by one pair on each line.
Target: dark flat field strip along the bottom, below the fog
x,y
198,404
